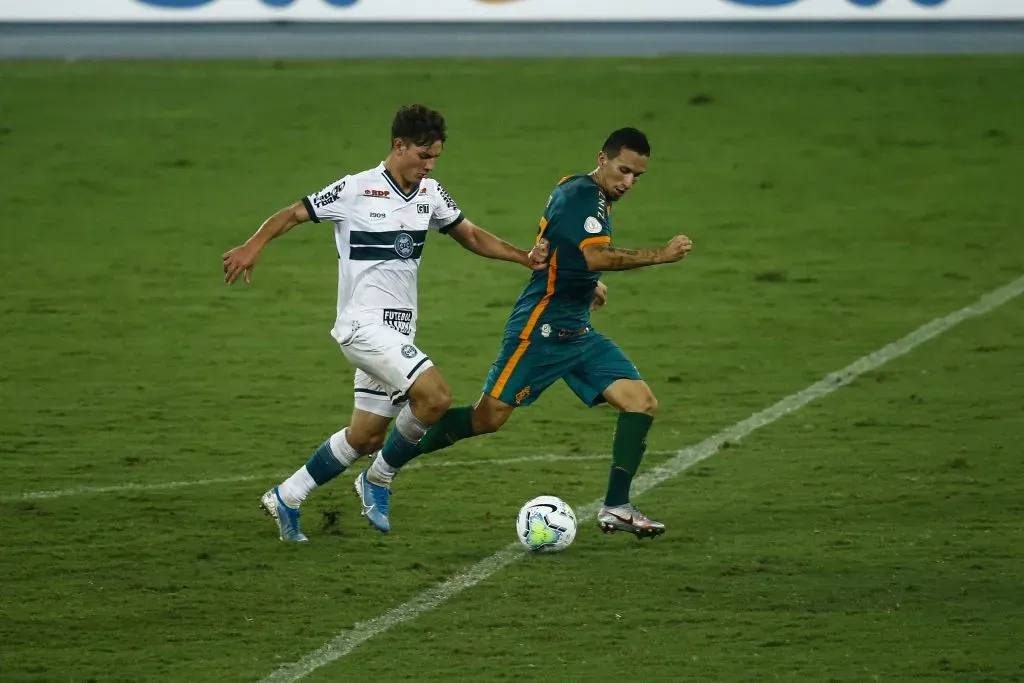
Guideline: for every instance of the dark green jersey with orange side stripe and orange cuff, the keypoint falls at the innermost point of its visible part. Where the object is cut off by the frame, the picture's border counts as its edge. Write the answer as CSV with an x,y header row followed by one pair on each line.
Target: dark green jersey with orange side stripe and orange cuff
x,y
559,300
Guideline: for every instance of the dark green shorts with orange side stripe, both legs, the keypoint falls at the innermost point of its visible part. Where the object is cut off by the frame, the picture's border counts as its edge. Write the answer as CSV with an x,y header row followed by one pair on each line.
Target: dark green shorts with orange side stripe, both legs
x,y
589,364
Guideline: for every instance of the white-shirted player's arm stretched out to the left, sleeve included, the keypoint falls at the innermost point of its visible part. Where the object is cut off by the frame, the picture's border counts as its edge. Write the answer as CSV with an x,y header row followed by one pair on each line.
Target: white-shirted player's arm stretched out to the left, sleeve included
x,y
328,203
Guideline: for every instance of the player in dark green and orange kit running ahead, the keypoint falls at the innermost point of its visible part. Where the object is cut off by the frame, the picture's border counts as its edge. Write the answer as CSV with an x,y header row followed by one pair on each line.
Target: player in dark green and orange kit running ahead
x,y
549,336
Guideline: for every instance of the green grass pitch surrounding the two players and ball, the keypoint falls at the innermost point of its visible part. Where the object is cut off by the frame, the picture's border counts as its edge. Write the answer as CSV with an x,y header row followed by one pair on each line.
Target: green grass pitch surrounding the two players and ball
x,y
835,205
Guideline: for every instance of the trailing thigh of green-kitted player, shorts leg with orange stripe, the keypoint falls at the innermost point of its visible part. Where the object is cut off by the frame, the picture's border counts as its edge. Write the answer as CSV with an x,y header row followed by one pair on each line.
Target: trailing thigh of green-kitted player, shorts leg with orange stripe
x,y
524,370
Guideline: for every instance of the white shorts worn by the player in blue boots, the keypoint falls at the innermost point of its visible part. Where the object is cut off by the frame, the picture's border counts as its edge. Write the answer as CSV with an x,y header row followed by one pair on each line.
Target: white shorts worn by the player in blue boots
x,y
388,364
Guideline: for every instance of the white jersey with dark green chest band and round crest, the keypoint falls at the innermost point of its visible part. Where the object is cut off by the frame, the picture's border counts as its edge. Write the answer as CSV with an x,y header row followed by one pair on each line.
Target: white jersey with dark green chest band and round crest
x,y
380,233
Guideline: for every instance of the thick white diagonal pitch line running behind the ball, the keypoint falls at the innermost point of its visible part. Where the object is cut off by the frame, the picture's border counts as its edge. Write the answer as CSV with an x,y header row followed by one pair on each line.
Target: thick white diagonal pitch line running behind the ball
x,y
433,597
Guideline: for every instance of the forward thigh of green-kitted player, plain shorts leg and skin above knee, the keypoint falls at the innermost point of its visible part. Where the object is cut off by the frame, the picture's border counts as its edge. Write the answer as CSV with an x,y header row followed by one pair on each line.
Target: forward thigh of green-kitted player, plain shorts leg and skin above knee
x,y
602,367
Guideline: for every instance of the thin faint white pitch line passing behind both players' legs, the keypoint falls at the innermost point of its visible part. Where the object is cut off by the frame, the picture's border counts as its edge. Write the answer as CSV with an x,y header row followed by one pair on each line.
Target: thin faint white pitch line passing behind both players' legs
x,y
165,486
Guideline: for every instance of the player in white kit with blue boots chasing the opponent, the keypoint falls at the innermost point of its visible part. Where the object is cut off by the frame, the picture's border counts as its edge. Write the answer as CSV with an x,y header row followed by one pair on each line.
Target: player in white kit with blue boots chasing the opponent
x,y
381,220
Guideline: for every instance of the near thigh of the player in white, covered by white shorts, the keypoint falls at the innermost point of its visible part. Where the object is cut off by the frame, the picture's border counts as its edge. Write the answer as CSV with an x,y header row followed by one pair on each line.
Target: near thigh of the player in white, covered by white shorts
x,y
388,356
